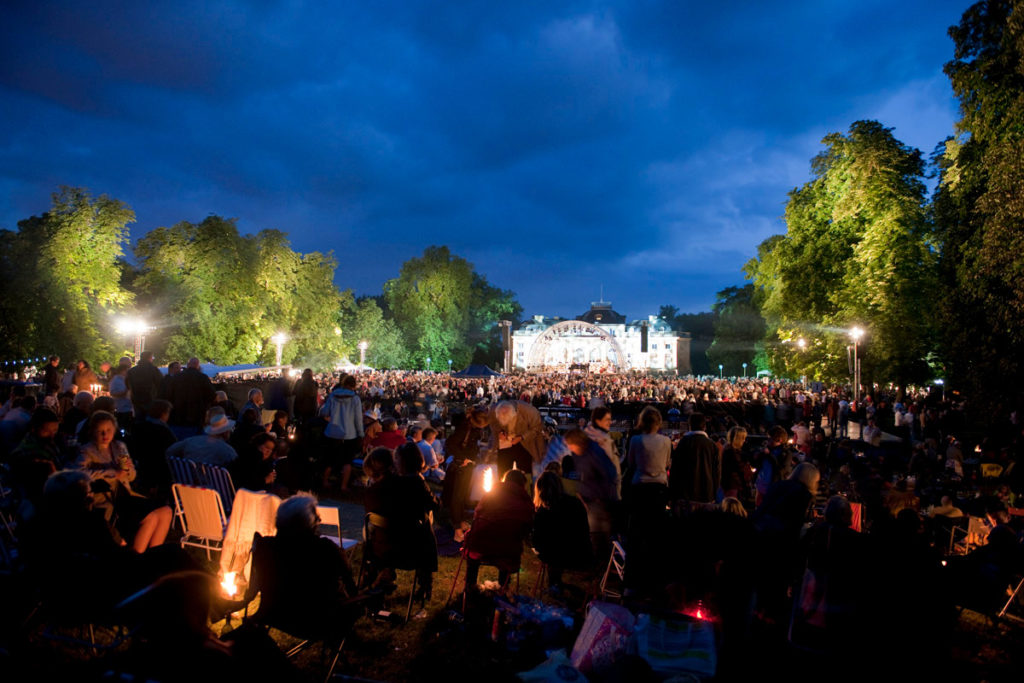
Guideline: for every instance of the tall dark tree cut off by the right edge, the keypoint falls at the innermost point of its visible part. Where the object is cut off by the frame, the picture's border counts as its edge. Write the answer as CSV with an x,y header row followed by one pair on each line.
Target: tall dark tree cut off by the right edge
x,y
979,205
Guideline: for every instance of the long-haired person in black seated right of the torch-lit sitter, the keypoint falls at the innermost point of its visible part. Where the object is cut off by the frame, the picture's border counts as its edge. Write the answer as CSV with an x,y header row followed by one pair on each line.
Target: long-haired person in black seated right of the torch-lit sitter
x,y
562,532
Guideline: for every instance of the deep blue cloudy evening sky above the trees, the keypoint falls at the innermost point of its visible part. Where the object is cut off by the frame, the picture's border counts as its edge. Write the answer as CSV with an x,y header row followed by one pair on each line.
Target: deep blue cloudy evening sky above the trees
x,y
647,147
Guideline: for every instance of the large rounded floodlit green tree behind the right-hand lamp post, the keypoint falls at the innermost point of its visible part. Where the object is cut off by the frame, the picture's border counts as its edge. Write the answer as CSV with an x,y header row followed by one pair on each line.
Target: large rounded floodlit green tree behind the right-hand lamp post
x,y
857,252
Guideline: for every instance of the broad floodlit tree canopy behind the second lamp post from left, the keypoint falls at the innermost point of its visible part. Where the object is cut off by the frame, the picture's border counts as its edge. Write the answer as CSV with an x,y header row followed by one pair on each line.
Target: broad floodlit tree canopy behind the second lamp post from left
x,y
223,296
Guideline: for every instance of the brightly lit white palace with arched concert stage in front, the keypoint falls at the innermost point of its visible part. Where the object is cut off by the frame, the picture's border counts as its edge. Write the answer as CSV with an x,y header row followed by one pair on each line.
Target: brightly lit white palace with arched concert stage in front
x,y
601,339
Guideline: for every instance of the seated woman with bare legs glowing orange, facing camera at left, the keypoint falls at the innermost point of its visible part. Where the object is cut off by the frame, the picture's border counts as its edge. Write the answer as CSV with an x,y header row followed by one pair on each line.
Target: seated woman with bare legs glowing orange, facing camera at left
x,y
108,461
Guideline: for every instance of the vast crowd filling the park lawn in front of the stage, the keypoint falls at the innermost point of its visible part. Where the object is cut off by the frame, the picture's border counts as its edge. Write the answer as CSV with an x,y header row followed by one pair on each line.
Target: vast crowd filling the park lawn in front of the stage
x,y
754,498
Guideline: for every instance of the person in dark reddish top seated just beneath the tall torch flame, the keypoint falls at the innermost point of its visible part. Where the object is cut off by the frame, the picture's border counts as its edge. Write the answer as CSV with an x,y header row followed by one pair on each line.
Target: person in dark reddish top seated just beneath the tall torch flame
x,y
502,523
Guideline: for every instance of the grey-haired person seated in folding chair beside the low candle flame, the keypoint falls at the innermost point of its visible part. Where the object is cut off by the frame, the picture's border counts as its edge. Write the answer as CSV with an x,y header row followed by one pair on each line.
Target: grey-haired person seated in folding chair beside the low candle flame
x,y
305,581
